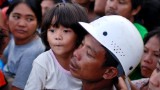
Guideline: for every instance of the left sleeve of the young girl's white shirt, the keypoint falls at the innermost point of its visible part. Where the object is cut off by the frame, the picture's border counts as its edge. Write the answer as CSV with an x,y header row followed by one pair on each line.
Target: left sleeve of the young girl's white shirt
x,y
36,80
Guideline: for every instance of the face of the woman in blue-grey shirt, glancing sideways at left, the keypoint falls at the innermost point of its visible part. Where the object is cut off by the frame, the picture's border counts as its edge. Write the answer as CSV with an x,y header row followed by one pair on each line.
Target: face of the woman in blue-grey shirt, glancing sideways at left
x,y
22,22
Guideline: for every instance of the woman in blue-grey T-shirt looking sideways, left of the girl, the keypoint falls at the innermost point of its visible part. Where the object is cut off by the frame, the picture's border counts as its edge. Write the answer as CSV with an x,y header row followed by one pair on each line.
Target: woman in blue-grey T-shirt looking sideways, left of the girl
x,y
24,16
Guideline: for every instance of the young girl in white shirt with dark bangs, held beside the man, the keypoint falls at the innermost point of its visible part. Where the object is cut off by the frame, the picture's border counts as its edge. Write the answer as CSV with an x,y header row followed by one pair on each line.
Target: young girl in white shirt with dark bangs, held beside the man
x,y
51,68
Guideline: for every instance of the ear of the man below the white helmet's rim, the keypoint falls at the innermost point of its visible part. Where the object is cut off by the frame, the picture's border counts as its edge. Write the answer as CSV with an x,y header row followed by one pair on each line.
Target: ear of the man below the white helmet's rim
x,y
110,73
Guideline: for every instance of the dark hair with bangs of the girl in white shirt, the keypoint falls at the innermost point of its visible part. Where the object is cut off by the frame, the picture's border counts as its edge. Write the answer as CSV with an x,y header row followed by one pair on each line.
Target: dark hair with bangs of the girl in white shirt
x,y
65,14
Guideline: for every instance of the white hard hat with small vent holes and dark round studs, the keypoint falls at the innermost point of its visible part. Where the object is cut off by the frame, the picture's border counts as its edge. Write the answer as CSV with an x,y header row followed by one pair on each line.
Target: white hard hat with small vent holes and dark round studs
x,y
120,37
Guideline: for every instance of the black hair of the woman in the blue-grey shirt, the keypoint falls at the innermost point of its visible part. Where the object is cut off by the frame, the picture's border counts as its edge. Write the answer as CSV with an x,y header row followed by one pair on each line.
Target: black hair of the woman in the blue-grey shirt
x,y
34,5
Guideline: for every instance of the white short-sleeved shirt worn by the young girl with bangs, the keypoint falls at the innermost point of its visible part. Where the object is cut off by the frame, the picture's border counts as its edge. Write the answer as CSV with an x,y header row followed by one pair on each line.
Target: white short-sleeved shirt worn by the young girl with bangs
x,y
47,73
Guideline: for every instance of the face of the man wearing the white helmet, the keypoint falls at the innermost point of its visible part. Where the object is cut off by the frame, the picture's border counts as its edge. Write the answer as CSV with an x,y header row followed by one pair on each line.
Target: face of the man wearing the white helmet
x,y
87,61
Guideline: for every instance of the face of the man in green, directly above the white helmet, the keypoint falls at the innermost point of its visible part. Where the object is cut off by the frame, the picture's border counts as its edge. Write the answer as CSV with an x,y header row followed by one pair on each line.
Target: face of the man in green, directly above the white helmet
x,y
119,7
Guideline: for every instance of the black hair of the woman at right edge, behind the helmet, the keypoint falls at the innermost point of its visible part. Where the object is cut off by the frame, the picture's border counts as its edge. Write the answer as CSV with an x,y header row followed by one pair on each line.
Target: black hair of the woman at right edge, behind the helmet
x,y
154,32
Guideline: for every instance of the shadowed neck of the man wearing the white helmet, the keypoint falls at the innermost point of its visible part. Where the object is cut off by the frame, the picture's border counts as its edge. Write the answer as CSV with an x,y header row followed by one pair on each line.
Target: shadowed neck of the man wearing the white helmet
x,y
98,85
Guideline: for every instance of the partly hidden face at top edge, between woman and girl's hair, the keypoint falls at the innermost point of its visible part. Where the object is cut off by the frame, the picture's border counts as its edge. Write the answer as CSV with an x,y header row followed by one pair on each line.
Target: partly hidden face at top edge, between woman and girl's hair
x,y
46,5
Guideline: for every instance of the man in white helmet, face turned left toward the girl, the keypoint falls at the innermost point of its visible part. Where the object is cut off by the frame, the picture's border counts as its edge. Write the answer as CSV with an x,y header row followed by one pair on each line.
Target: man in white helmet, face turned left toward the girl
x,y
112,48
